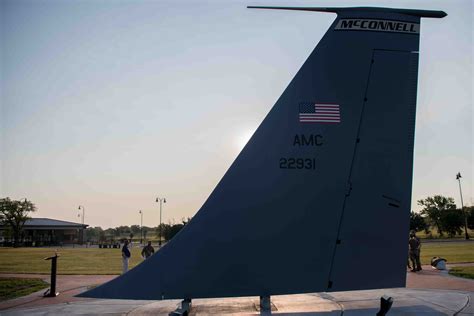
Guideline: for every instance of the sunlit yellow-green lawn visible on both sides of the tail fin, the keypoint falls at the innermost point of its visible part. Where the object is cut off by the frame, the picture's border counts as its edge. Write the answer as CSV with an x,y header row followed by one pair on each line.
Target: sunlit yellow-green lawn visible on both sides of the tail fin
x,y
109,261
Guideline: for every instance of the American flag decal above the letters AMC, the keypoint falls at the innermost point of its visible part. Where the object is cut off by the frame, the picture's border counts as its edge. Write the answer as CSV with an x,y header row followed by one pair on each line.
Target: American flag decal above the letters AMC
x,y
319,113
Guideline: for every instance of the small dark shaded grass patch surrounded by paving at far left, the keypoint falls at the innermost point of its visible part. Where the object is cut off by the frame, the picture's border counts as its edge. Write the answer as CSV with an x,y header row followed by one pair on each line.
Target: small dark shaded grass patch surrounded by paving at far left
x,y
12,288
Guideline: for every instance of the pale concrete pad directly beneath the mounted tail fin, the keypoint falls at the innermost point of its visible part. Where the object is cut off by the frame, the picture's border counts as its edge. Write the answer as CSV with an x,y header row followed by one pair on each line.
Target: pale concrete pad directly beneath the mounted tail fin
x,y
406,302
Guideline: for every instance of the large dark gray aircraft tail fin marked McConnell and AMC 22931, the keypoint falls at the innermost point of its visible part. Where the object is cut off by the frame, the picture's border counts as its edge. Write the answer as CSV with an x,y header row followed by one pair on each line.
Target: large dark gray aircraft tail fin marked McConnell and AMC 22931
x,y
308,206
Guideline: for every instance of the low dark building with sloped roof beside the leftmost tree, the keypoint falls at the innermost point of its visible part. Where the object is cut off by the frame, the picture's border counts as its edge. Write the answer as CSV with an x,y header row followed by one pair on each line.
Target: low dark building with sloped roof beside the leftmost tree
x,y
46,232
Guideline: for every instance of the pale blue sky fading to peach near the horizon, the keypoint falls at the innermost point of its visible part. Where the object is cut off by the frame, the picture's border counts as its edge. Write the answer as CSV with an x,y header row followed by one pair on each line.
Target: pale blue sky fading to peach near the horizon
x,y
110,104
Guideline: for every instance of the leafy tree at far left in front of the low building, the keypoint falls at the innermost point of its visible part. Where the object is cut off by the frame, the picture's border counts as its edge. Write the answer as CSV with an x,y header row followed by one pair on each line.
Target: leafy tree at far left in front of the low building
x,y
13,214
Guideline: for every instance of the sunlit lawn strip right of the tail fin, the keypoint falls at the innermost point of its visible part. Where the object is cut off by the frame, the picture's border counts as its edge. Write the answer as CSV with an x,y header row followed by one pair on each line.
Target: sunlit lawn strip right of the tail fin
x,y
452,251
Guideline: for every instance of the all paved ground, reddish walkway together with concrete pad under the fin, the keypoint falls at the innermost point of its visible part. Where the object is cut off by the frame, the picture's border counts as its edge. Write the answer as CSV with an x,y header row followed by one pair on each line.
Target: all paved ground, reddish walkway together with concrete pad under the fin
x,y
428,292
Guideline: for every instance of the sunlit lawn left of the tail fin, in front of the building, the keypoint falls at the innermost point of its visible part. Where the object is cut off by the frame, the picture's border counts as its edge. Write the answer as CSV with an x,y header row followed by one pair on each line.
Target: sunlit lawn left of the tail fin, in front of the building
x,y
71,260
